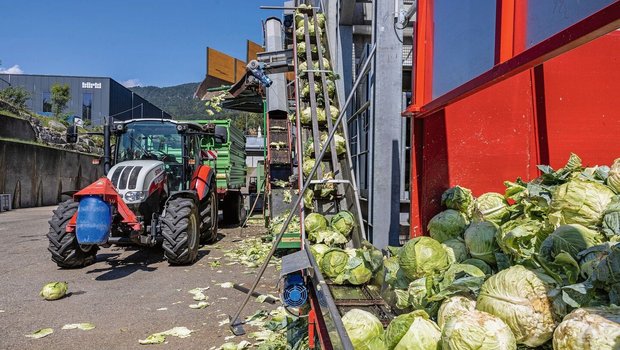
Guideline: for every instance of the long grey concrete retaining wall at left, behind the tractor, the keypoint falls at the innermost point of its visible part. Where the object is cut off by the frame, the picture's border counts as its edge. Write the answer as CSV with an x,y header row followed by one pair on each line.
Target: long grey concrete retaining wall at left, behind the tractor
x,y
37,175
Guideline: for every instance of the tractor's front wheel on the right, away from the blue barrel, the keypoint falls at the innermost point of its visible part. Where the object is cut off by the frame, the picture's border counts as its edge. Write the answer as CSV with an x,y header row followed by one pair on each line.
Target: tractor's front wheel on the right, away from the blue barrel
x,y
180,229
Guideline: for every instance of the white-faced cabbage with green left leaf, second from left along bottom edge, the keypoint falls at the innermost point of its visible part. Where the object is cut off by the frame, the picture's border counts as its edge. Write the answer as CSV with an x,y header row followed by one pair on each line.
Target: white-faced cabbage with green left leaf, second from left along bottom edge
x,y
412,331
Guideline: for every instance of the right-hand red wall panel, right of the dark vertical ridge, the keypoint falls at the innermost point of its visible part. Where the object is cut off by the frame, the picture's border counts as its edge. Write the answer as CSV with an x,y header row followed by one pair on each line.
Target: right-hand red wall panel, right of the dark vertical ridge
x,y
582,102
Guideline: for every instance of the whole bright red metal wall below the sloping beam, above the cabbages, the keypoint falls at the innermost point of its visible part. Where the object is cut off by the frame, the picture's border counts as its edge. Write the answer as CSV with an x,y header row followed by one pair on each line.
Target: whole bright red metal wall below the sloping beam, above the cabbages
x,y
569,104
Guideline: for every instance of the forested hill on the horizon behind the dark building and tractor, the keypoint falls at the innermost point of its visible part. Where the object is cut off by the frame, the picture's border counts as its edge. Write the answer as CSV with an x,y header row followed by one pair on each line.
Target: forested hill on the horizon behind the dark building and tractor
x,y
180,103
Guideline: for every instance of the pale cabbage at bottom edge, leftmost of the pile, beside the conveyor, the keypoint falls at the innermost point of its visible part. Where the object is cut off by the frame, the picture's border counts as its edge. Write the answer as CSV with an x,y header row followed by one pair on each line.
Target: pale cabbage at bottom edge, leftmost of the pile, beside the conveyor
x,y
364,329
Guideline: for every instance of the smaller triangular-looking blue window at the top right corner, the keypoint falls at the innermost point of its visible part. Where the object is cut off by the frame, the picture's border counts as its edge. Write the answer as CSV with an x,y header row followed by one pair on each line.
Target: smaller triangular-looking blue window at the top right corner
x,y
548,17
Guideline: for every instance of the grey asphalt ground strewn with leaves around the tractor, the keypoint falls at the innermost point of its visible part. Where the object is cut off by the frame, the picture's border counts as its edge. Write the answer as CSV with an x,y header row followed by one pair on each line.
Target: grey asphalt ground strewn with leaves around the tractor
x,y
128,294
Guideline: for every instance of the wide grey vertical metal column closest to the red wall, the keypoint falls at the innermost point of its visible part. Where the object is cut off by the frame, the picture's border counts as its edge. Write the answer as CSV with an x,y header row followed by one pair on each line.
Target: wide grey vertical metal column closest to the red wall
x,y
385,136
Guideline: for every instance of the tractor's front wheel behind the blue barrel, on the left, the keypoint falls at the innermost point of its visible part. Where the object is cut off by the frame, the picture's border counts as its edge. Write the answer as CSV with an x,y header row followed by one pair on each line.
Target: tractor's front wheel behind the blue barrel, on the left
x,y
65,249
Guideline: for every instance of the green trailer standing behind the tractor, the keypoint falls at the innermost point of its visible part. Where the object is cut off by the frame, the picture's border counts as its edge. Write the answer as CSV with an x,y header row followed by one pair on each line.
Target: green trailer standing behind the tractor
x,y
227,155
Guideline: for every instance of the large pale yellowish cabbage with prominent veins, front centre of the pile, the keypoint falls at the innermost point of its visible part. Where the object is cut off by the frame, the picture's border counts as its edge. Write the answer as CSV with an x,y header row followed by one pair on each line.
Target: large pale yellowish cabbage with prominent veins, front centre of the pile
x,y
518,296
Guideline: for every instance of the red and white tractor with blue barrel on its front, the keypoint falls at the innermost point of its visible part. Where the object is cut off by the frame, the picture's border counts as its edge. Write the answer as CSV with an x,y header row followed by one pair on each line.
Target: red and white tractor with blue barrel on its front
x,y
158,191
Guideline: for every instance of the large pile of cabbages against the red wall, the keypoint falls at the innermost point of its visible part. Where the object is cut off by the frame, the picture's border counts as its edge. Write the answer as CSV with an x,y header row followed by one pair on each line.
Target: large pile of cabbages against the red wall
x,y
535,266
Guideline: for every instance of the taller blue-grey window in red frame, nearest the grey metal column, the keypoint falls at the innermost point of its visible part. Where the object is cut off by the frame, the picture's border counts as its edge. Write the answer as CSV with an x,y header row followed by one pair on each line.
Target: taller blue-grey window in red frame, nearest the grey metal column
x,y
464,42
